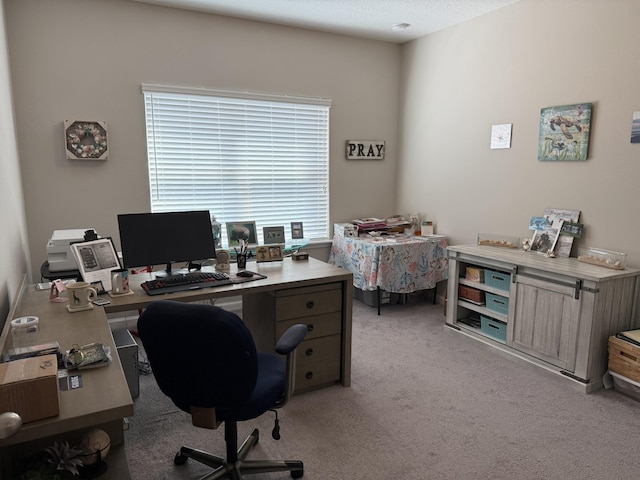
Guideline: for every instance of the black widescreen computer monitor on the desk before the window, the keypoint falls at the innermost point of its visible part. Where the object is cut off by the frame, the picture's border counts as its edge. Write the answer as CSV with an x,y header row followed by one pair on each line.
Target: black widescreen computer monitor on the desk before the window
x,y
149,239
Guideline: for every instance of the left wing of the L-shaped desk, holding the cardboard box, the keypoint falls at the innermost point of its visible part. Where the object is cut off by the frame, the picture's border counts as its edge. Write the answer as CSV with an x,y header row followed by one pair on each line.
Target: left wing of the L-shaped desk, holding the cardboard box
x,y
102,402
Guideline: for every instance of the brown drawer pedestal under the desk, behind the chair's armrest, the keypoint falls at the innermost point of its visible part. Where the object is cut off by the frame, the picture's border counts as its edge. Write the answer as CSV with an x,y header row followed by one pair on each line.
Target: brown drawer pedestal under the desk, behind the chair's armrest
x,y
319,307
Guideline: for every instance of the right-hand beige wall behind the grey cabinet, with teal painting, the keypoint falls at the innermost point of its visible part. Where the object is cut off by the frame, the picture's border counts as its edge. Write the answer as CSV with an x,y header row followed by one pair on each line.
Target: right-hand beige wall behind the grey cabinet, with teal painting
x,y
503,68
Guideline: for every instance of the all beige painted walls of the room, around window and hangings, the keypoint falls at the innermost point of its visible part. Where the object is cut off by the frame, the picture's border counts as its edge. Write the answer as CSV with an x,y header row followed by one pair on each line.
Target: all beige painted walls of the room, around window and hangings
x,y
85,59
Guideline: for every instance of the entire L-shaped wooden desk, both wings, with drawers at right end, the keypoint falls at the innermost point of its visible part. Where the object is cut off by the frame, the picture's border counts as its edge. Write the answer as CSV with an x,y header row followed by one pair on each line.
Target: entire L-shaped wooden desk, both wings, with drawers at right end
x,y
310,292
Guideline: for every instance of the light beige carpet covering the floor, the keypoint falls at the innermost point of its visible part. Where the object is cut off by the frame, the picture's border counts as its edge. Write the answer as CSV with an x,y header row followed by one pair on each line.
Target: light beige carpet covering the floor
x,y
425,403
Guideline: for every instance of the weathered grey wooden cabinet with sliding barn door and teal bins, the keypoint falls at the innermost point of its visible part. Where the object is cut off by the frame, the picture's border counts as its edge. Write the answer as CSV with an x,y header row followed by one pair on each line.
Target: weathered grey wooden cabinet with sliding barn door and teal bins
x,y
555,312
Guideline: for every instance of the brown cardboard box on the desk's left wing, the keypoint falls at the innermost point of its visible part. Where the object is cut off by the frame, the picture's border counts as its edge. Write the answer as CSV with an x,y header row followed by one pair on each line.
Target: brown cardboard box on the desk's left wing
x,y
29,387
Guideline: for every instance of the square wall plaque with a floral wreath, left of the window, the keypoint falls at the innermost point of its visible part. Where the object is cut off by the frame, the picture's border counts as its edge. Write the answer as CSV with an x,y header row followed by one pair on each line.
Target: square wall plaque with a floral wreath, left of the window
x,y
86,140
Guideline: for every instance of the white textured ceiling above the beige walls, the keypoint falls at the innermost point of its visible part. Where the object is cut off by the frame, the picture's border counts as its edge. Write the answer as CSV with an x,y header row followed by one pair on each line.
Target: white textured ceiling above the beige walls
x,y
372,19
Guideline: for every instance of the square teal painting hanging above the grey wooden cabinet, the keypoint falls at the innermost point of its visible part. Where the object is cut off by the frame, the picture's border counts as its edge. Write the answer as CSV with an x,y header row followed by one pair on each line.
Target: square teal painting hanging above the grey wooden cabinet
x,y
564,132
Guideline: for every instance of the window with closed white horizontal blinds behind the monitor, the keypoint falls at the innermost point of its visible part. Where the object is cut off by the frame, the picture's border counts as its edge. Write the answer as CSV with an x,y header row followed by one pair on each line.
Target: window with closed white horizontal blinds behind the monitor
x,y
242,156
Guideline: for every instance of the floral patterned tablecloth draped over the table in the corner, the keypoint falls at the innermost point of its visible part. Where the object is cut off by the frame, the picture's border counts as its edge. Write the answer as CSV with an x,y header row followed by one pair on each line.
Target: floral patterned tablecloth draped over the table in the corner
x,y
397,266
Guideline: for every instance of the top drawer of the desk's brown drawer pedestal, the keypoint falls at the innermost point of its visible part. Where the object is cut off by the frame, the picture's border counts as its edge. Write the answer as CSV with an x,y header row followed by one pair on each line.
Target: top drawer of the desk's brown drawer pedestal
x,y
307,304
